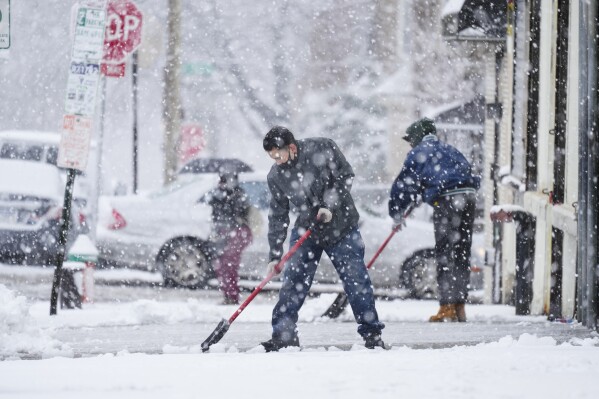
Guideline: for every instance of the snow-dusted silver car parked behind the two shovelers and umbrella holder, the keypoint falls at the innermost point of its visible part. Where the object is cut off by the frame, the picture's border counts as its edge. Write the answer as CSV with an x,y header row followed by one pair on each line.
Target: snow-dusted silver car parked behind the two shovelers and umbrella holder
x,y
168,231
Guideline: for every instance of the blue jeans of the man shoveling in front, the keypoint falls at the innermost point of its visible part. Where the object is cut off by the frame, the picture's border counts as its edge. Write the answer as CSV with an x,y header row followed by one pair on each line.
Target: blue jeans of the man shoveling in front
x,y
347,257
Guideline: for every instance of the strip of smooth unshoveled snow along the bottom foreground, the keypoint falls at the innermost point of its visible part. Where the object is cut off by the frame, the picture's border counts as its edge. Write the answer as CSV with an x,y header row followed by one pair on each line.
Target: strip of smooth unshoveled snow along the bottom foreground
x,y
510,368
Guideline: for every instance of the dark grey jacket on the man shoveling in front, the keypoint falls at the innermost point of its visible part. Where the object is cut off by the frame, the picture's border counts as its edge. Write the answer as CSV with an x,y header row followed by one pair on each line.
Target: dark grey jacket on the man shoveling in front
x,y
319,177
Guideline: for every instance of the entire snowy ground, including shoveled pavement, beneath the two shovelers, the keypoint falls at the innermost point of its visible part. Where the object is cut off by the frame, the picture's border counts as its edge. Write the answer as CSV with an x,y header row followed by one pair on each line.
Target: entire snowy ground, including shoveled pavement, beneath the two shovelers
x,y
142,341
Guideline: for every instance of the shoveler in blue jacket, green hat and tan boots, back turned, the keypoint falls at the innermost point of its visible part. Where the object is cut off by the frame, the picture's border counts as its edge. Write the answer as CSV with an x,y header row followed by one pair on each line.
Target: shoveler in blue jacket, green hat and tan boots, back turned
x,y
442,177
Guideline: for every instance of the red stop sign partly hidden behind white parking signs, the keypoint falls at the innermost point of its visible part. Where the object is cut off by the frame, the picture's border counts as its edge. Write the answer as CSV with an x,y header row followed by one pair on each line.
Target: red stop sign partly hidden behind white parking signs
x,y
123,30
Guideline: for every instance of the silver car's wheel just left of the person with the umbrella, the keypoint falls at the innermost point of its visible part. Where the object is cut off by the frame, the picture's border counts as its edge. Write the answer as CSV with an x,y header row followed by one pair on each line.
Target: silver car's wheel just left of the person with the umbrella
x,y
184,263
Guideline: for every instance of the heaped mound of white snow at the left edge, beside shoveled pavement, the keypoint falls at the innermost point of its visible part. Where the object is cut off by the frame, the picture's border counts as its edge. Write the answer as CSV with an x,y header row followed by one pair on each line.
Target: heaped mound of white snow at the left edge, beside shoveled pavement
x,y
18,331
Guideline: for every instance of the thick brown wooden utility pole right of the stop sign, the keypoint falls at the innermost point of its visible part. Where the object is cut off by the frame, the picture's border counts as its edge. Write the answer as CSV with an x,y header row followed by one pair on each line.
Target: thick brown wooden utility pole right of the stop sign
x,y
171,97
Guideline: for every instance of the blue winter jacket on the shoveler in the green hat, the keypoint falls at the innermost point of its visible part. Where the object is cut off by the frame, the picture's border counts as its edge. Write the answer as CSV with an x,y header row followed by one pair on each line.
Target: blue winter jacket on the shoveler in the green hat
x,y
431,169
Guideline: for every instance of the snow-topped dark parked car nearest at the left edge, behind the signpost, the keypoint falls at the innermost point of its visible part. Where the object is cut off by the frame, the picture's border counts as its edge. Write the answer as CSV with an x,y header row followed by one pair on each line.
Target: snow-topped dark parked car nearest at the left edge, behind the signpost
x,y
31,198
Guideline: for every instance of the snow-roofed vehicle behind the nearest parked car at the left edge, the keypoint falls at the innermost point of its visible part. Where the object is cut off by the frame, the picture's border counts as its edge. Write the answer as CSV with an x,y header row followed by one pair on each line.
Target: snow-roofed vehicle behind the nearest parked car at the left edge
x,y
42,146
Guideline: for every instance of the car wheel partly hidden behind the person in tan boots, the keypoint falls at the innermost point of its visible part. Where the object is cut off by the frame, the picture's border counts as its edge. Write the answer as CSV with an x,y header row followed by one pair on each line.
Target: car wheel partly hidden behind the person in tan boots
x,y
418,275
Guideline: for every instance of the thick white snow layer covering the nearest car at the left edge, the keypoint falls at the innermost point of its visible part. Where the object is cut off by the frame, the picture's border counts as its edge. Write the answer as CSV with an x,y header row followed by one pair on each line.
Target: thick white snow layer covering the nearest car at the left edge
x,y
31,178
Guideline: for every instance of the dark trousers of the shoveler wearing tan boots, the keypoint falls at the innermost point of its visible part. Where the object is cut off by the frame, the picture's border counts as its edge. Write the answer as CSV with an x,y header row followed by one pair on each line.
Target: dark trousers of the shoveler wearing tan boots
x,y
453,218
